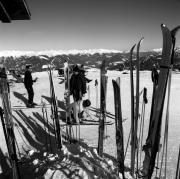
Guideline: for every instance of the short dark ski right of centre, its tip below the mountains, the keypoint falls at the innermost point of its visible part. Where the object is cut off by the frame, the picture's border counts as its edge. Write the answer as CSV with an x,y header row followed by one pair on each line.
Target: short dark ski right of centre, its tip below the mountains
x,y
118,125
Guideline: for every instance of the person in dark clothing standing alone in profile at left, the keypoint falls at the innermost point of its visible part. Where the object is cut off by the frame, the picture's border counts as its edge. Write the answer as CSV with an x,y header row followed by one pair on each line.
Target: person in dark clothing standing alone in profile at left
x,y
28,83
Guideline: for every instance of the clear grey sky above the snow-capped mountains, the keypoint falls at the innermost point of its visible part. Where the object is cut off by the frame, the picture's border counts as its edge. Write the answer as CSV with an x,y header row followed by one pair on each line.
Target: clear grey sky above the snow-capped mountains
x,y
91,24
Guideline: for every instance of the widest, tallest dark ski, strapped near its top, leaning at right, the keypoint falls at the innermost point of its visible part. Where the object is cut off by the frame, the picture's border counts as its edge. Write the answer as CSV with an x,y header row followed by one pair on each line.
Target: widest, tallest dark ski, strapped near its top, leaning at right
x,y
152,143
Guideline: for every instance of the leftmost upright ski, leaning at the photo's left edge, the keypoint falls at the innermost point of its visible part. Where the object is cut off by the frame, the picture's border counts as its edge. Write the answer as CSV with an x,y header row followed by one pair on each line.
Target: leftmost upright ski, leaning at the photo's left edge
x,y
7,122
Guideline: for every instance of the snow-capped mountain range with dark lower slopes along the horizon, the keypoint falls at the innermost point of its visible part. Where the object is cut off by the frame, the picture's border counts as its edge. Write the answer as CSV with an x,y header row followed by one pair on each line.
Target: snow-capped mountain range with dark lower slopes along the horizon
x,y
118,60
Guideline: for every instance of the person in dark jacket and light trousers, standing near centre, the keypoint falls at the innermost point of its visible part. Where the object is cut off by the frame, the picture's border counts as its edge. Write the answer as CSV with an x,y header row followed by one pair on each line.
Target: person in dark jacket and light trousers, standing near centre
x,y
78,90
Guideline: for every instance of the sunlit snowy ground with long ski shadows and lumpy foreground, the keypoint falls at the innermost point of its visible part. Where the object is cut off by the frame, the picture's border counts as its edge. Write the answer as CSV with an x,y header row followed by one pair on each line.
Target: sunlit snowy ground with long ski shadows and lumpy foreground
x,y
81,158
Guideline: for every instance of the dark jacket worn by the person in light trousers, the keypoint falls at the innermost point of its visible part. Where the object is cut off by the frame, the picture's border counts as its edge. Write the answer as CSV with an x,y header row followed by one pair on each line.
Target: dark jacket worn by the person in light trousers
x,y
77,86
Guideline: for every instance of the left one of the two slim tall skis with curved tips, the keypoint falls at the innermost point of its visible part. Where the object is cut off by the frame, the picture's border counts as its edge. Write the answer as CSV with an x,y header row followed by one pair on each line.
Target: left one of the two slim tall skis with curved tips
x,y
132,110
